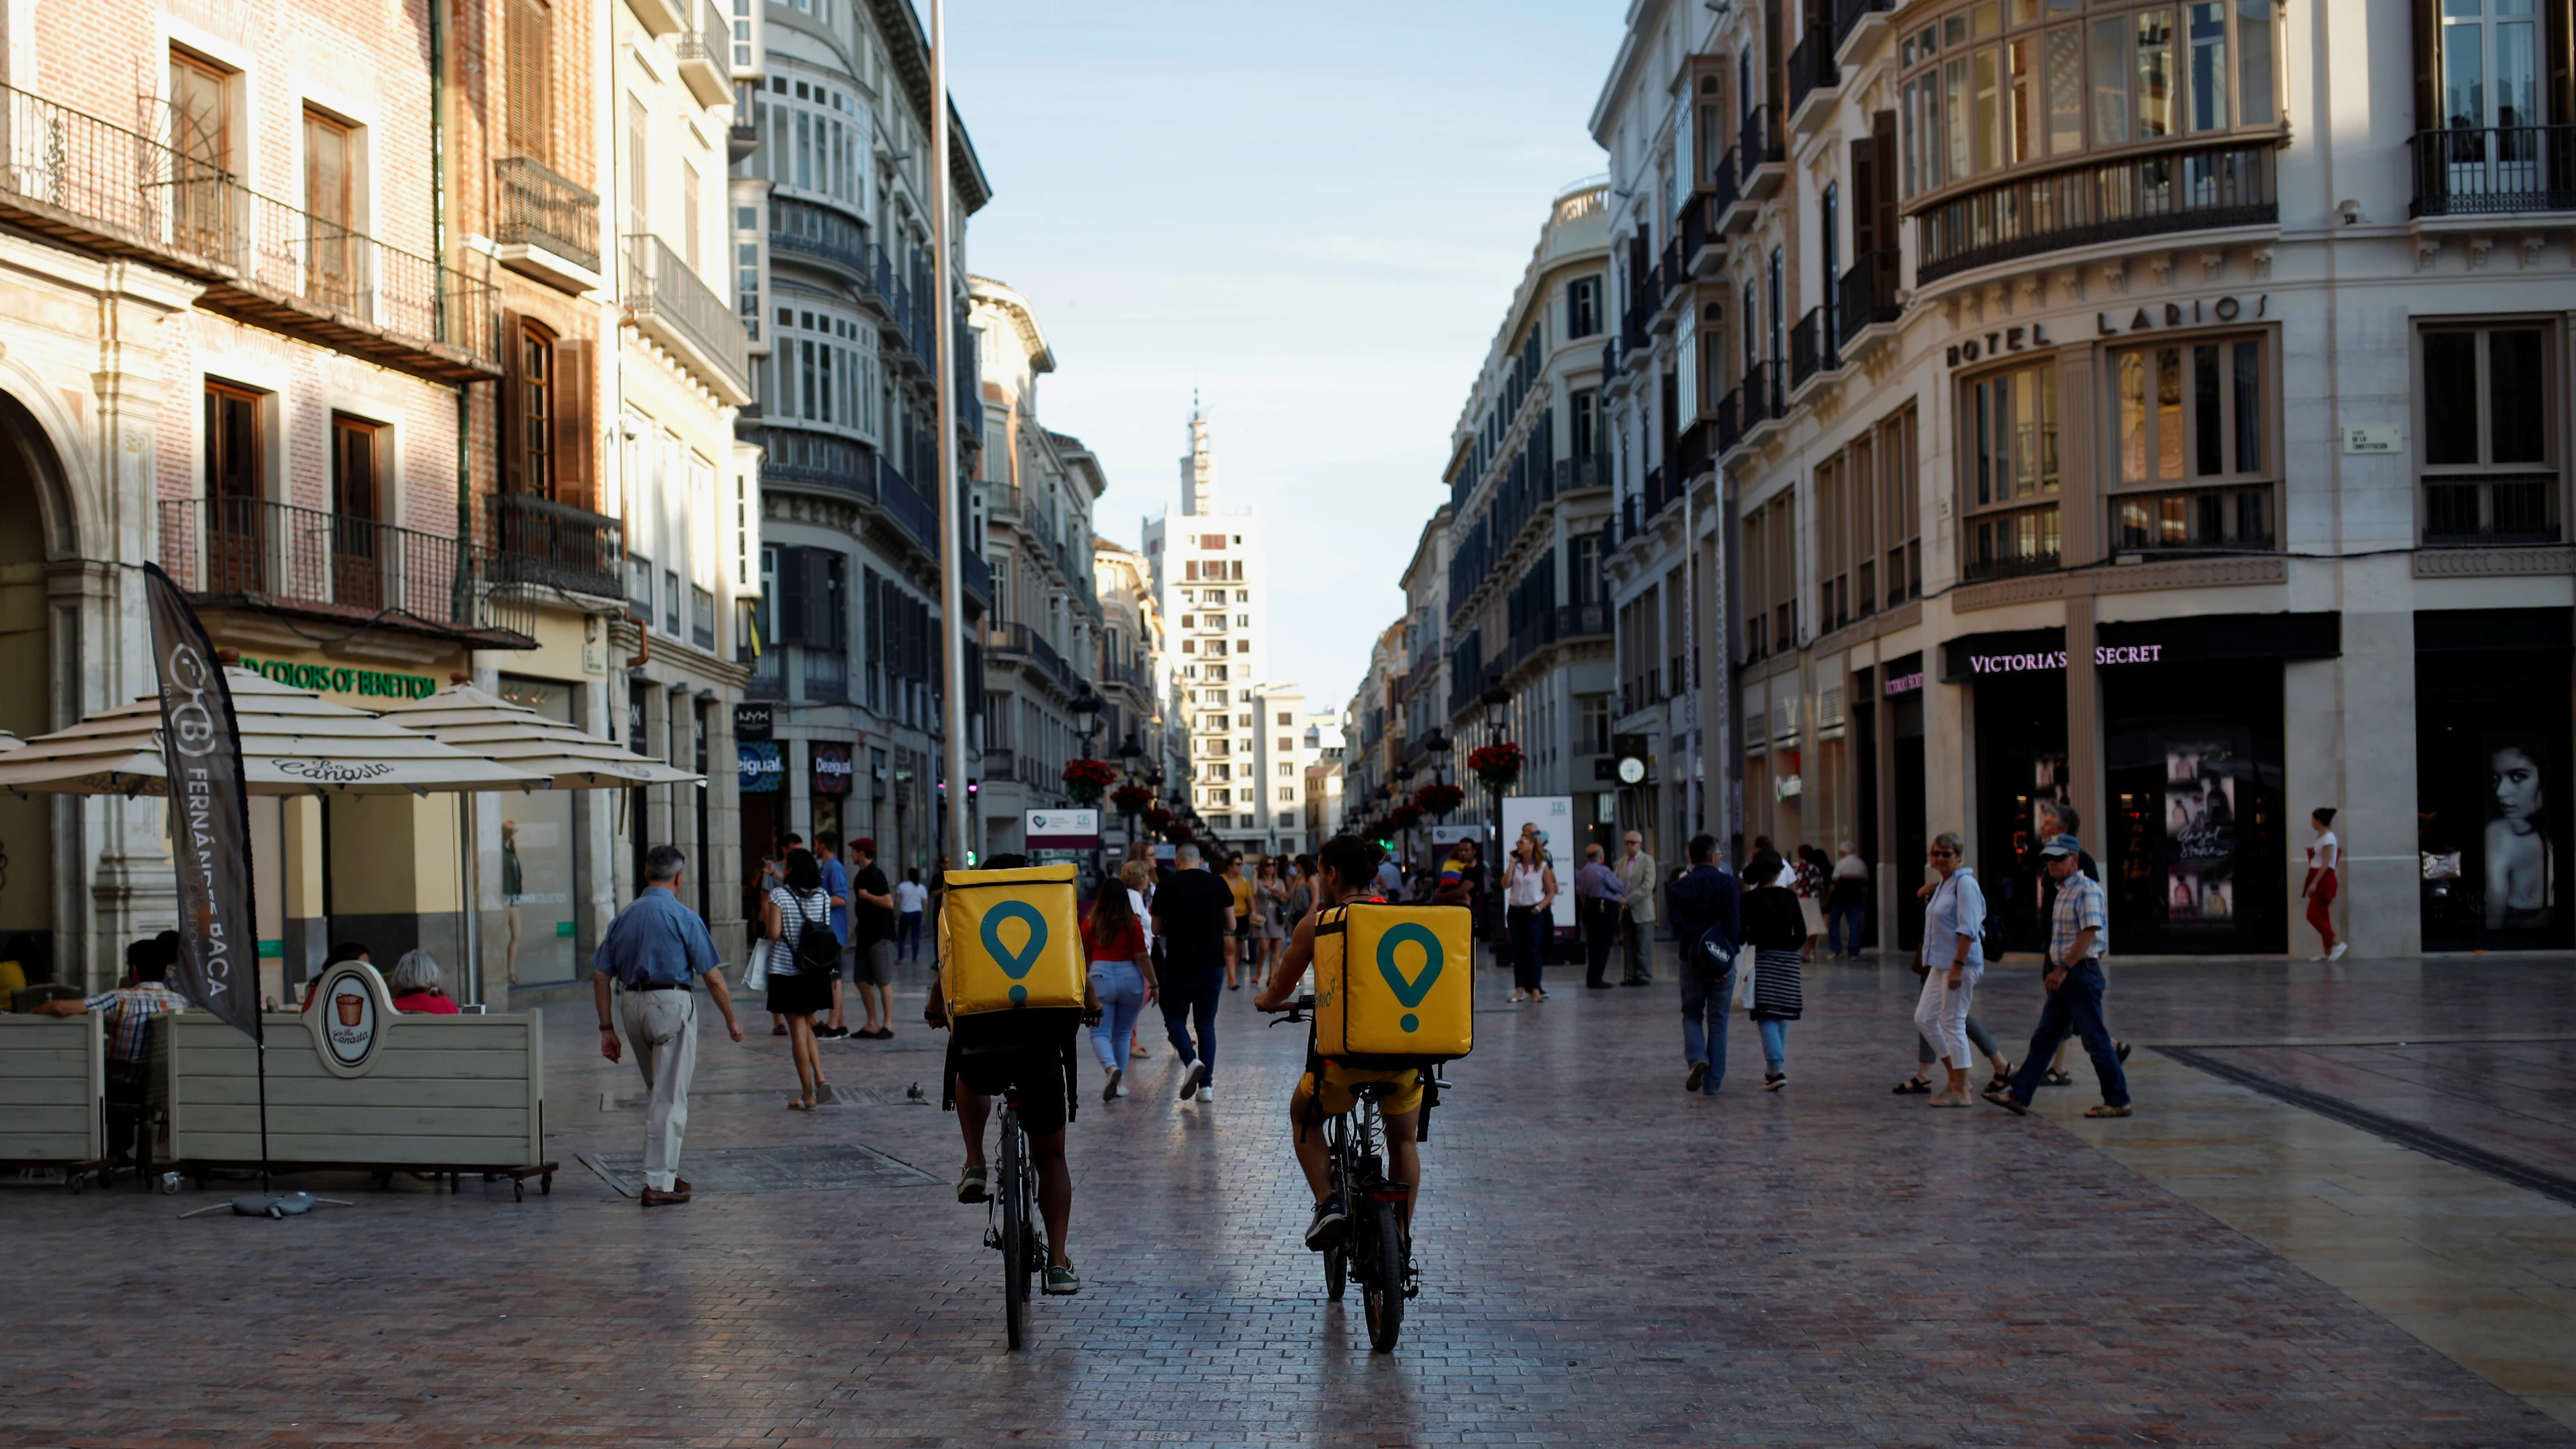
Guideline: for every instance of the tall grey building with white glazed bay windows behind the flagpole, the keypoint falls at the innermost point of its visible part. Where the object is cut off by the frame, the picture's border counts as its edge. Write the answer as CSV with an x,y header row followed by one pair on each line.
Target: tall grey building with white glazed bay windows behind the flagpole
x,y
831,274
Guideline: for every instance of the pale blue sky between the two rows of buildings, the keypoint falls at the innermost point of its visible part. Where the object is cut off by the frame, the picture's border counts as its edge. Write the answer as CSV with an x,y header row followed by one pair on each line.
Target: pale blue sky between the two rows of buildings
x,y
1312,215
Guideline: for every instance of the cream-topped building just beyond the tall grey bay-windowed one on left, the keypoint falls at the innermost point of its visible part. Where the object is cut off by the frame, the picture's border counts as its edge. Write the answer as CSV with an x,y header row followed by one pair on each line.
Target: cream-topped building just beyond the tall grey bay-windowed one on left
x,y
1042,640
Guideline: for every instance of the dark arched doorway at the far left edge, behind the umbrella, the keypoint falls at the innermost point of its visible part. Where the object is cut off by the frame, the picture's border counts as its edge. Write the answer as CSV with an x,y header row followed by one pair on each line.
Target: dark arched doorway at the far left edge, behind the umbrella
x,y
32,513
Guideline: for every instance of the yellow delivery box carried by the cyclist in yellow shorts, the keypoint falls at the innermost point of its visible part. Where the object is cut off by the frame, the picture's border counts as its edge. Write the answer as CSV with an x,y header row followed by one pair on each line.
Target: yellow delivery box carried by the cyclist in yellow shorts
x,y
1392,984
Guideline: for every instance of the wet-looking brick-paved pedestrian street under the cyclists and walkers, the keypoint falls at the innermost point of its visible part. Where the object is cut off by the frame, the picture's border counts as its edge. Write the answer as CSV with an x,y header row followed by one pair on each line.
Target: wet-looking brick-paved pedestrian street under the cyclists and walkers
x,y
1606,1262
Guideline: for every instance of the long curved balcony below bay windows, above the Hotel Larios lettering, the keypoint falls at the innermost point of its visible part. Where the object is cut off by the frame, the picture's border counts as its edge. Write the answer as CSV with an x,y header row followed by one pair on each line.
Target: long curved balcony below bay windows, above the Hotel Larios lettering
x,y
2103,202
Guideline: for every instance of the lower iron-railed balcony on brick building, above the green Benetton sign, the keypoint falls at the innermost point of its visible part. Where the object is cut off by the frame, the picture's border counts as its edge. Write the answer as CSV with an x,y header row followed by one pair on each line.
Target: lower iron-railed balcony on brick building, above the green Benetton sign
x,y
339,570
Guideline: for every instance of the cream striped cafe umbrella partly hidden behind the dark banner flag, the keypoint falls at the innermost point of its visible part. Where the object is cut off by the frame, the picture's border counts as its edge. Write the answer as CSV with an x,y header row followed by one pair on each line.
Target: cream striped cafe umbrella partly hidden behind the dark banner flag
x,y
292,745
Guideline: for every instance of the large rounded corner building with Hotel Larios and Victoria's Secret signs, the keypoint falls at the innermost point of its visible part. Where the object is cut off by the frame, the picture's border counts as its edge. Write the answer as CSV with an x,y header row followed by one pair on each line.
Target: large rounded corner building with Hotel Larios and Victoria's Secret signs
x,y
2155,411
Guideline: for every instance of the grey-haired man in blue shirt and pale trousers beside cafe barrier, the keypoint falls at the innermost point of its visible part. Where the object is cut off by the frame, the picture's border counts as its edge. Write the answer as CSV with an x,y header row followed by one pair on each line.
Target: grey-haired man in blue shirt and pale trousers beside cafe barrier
x,y
656,951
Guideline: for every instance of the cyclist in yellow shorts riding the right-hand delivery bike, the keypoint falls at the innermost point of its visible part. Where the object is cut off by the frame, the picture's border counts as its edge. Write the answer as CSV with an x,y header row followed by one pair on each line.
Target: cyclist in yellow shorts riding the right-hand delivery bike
x,y
1343,874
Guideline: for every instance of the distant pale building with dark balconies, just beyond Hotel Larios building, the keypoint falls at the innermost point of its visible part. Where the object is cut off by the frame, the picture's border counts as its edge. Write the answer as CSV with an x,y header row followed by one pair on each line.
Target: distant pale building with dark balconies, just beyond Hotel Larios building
x,y
1529,506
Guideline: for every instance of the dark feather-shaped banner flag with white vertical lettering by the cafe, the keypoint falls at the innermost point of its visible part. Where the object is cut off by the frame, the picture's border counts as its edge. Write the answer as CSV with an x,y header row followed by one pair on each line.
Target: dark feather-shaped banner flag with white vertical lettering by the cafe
x,y
210,815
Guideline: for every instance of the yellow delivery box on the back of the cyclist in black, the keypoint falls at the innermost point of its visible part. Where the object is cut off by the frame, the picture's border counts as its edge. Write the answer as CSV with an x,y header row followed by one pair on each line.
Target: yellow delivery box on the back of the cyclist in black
x,y
1014,941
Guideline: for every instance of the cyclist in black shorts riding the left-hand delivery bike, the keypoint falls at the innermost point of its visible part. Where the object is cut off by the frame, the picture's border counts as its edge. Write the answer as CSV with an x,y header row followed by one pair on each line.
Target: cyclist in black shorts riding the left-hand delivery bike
x,y
1034,1054
